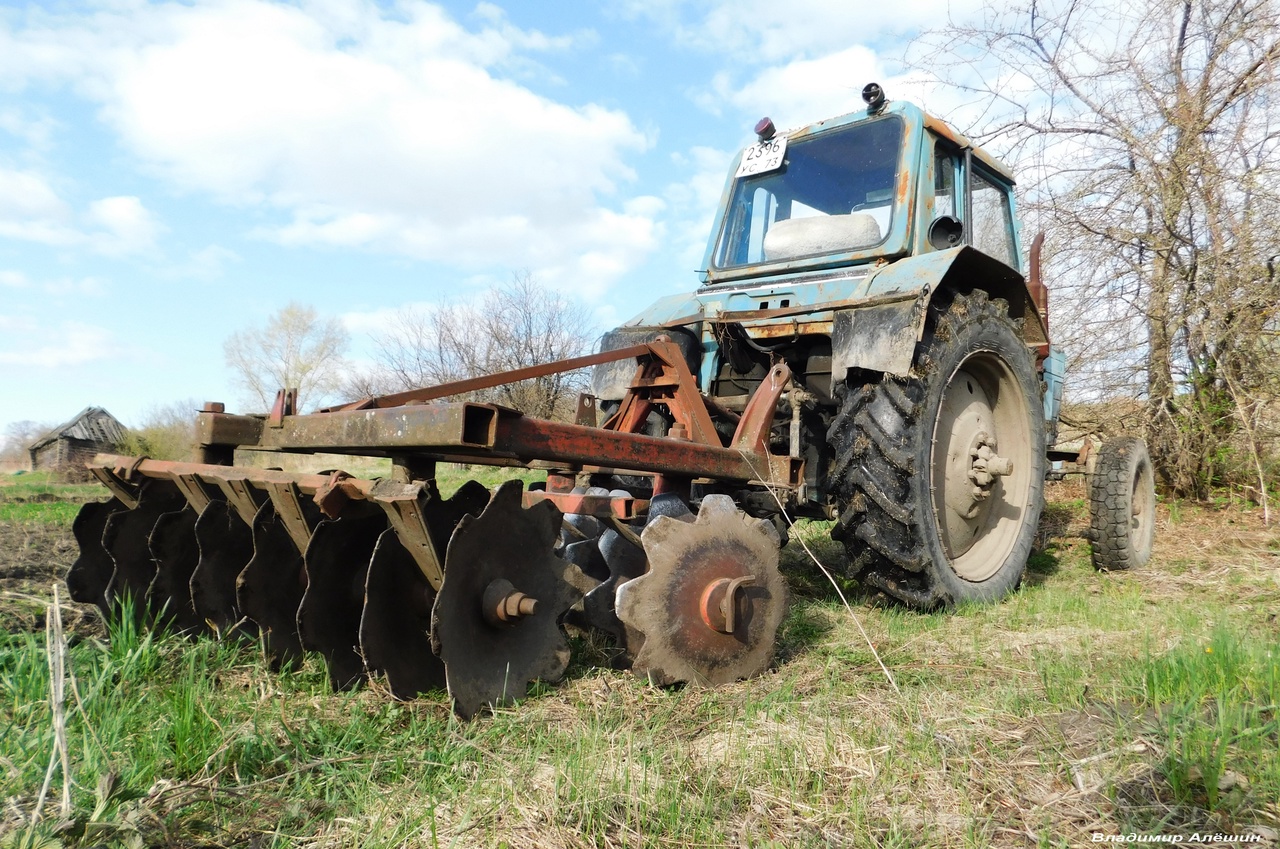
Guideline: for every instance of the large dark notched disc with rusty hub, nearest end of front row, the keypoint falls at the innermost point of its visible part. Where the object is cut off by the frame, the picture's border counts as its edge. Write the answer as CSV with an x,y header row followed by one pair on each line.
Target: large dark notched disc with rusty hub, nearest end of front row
x,y
490,664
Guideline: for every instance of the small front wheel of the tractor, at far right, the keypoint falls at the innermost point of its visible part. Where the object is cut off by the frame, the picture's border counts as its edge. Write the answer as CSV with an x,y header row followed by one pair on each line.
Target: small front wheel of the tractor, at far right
x,y
1122,505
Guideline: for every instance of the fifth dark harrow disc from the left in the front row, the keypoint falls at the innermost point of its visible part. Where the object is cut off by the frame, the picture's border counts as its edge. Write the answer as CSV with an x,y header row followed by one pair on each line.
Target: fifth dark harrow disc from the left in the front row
x,y
271,588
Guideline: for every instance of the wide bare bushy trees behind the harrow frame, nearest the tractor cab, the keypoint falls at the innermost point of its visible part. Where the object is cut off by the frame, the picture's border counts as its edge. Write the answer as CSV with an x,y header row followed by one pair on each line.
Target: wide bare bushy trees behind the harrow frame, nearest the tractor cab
x,y
511,327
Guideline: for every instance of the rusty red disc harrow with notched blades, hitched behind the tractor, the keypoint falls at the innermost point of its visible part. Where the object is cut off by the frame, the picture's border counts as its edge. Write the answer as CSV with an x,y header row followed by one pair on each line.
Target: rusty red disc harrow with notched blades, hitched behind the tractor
x,y
472,594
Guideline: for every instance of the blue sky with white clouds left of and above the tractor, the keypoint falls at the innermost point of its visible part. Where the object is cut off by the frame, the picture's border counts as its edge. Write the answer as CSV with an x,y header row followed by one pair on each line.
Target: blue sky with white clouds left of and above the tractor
x,y
172,174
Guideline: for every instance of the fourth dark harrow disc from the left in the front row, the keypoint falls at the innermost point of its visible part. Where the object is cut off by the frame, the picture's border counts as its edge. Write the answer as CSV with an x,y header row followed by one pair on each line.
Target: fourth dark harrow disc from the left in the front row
x,y
226,546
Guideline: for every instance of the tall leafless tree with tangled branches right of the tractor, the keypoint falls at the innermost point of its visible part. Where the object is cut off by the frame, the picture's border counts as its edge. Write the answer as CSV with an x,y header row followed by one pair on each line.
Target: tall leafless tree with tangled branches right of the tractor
x,y
1148,135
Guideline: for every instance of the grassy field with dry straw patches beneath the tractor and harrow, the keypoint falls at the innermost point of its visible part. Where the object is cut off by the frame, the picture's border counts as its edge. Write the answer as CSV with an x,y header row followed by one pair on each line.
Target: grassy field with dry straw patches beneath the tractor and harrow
x,y
1087,705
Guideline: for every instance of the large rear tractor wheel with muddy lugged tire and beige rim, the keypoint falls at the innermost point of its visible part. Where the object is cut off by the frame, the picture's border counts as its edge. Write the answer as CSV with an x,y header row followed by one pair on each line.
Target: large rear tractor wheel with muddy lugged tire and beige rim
x,y
941,476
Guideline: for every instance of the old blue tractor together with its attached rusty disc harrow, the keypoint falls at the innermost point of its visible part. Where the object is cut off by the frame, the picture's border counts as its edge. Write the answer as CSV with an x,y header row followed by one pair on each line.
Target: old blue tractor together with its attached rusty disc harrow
x,y
892,373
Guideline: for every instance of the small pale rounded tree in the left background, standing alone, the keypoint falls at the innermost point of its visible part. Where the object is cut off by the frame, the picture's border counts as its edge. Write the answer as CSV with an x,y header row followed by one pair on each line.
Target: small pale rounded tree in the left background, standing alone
x,y
294,350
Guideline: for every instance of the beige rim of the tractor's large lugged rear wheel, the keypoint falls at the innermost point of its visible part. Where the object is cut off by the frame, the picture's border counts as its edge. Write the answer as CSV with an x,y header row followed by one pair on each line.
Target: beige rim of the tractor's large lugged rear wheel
x,y
982,462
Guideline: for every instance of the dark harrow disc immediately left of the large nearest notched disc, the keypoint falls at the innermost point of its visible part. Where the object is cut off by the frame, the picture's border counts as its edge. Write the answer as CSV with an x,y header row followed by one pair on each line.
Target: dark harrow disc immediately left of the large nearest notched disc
x,y
397,619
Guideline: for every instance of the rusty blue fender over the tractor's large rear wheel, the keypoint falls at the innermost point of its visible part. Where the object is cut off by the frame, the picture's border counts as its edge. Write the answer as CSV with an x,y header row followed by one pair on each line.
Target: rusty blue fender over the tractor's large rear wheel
x,y
883,336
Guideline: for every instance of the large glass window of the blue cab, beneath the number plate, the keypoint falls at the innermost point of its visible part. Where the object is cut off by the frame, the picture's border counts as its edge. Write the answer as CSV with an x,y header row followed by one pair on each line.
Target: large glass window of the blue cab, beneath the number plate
x,y
833,195
